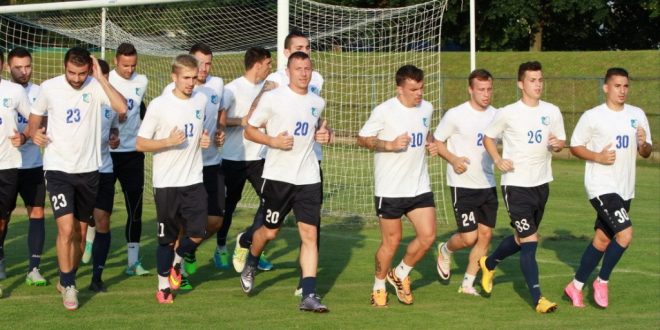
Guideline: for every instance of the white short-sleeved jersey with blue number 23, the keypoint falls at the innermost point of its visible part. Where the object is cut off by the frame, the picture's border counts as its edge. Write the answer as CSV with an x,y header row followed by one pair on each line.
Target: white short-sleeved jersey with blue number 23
x,y
74,124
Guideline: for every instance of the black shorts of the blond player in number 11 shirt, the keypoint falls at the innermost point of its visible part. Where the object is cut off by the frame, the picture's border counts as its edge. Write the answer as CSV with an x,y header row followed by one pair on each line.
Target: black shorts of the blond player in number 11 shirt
x,y
180,208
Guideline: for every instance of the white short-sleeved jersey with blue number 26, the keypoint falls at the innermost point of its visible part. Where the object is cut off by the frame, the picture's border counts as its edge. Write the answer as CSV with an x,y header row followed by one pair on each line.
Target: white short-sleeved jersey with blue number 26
x,y
525,131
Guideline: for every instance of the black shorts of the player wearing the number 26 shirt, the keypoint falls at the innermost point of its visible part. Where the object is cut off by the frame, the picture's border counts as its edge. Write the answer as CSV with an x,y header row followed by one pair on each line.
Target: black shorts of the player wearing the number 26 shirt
x,y
526,206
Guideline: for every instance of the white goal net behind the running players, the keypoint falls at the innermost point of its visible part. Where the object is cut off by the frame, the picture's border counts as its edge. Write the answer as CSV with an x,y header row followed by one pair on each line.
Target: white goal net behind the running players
x,y
356,50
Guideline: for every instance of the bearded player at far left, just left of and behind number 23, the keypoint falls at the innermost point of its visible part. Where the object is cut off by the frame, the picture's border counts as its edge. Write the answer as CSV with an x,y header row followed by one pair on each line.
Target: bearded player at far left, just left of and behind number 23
x,y
31,184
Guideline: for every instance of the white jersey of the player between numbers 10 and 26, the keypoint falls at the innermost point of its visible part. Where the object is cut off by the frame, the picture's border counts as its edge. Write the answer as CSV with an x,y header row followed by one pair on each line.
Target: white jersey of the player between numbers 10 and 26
x,y
462,128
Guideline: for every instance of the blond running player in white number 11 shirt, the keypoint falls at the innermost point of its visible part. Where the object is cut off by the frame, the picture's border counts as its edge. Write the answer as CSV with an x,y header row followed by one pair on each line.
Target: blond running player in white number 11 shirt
x,y
173,129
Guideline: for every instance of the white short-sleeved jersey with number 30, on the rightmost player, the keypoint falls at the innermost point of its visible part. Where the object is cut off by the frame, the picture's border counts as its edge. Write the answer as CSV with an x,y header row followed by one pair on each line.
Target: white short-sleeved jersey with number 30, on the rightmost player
x,y
601,126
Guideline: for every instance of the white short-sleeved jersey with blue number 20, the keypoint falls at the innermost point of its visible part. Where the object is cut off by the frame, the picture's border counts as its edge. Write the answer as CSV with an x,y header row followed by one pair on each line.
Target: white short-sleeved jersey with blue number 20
x,y
284,110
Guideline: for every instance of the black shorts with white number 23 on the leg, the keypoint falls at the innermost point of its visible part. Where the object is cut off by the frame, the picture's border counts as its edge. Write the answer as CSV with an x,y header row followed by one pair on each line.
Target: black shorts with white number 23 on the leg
x,y
72,193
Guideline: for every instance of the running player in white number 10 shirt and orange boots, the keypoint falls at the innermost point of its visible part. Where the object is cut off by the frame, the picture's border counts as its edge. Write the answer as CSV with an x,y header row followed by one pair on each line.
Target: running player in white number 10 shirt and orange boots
x,y
397,130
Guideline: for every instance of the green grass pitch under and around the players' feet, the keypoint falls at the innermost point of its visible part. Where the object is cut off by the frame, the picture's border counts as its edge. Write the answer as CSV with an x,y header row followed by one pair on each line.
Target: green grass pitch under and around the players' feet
x,y
346,275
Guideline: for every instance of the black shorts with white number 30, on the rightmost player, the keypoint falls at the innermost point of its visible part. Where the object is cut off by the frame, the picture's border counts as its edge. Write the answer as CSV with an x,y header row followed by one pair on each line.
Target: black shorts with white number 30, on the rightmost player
x,y
611,213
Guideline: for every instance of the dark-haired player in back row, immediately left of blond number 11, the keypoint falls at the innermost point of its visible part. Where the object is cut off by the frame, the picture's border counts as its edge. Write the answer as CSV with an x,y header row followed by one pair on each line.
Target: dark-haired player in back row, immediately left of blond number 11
x,y
128,163
